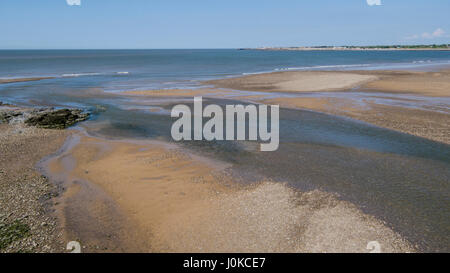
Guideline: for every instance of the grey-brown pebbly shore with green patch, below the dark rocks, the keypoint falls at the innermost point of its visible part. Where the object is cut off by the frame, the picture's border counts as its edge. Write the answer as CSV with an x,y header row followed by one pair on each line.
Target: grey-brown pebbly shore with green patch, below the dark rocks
x,y
26,198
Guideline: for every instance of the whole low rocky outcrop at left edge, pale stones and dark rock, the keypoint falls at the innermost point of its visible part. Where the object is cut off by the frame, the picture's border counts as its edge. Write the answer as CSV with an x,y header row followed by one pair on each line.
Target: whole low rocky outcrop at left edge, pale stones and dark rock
x,y
47,118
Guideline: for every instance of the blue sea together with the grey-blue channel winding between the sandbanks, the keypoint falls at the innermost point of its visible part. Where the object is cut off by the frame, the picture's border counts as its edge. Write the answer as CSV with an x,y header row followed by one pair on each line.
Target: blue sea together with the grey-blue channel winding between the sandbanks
x,y
400,178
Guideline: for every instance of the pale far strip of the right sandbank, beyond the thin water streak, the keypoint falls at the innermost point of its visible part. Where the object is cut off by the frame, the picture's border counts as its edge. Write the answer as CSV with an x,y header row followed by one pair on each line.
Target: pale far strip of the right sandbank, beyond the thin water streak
x,y
424,83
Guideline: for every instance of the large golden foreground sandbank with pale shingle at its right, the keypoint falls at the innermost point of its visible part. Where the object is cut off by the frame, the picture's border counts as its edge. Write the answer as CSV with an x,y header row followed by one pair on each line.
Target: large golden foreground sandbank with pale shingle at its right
x,y
173,201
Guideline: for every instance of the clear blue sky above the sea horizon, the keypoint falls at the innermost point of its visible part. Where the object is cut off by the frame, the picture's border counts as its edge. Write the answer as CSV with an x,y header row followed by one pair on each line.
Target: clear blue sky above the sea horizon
x,y
220,23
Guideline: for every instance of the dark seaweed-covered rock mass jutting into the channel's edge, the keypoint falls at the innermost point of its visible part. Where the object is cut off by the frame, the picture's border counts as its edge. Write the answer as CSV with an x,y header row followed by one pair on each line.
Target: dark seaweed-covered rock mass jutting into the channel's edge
x,y
56,119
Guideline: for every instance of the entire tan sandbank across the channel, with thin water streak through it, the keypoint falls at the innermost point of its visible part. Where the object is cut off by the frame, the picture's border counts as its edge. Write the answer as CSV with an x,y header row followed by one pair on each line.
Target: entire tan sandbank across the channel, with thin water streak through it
x,y
407,101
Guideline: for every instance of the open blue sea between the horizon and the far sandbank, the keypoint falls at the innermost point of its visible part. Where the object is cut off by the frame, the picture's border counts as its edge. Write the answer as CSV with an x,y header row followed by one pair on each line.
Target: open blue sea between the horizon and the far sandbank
x,y
153,69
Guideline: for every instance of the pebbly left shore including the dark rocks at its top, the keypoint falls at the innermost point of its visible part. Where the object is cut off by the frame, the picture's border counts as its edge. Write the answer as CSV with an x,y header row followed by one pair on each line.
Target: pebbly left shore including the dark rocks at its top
x,y
28,135
